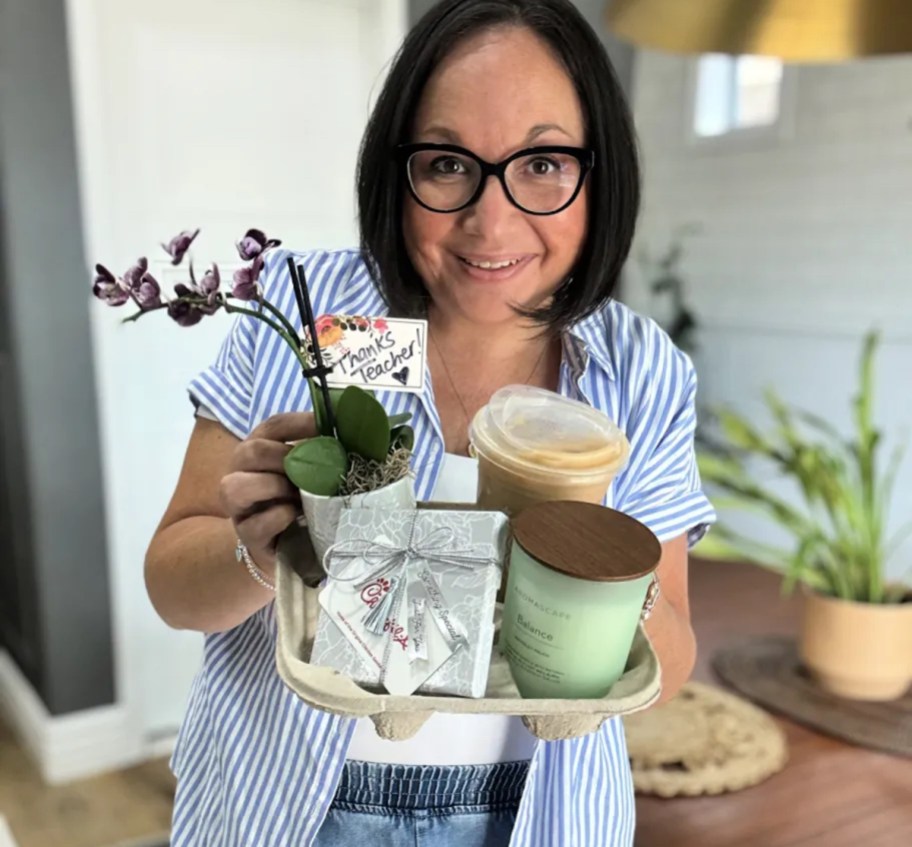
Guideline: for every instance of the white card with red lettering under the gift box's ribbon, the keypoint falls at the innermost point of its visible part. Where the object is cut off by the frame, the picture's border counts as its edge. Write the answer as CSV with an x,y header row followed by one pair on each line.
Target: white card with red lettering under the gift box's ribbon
x,y
411,651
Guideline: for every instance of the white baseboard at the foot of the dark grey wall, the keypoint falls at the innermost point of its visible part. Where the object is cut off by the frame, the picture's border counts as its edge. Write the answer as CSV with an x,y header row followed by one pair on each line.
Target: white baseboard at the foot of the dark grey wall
x,y
71,746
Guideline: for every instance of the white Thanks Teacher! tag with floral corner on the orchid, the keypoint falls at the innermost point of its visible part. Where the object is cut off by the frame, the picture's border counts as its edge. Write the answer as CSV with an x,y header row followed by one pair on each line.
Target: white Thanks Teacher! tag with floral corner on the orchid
x,y
384,353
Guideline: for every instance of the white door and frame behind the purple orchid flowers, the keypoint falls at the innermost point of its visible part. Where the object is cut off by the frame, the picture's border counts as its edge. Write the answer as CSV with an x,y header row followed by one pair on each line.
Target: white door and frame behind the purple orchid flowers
x,y
221,114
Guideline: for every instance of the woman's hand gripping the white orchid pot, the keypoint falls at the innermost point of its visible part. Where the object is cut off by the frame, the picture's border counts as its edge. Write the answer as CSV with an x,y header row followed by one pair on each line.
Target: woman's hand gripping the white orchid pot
x,y
255,494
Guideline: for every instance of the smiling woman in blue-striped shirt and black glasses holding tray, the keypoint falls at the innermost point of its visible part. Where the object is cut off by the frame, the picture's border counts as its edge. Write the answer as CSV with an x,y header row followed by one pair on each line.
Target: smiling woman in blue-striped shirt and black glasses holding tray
x,y
513,264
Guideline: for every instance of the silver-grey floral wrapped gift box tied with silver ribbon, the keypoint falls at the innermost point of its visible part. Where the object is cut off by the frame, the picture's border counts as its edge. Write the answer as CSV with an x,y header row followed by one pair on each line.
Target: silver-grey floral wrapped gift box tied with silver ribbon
x,y
409,603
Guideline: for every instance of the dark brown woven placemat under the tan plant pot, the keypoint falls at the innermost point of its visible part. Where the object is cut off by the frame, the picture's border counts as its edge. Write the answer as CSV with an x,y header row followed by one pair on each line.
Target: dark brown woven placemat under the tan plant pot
x,y
767,670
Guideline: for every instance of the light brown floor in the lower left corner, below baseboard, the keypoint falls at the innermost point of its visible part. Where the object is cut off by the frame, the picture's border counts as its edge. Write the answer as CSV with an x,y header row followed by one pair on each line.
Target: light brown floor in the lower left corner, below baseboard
x,y
101,812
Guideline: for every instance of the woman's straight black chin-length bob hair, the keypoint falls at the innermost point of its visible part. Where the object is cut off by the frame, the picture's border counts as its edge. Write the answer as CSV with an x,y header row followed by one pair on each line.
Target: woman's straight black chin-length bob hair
x,y
614,183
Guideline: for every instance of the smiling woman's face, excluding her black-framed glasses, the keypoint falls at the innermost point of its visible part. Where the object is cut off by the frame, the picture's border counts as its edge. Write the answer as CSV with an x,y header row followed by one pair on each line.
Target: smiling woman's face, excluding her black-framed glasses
x,y
496,93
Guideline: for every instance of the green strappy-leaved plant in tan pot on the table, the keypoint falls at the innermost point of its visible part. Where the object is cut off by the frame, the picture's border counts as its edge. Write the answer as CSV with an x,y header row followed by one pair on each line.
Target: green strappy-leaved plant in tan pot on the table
x,y
856,630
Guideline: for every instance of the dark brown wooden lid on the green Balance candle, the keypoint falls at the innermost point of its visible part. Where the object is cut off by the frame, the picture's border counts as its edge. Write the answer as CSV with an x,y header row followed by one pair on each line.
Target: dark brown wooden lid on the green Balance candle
x,y
587,541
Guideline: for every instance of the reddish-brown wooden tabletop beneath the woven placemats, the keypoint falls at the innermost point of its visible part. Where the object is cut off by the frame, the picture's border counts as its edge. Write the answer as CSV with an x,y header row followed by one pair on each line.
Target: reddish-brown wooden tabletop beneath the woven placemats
x,y
829,795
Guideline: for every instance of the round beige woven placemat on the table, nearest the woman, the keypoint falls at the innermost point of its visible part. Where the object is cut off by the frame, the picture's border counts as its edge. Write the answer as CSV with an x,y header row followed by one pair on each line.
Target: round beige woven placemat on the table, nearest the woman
x,y
703,741
